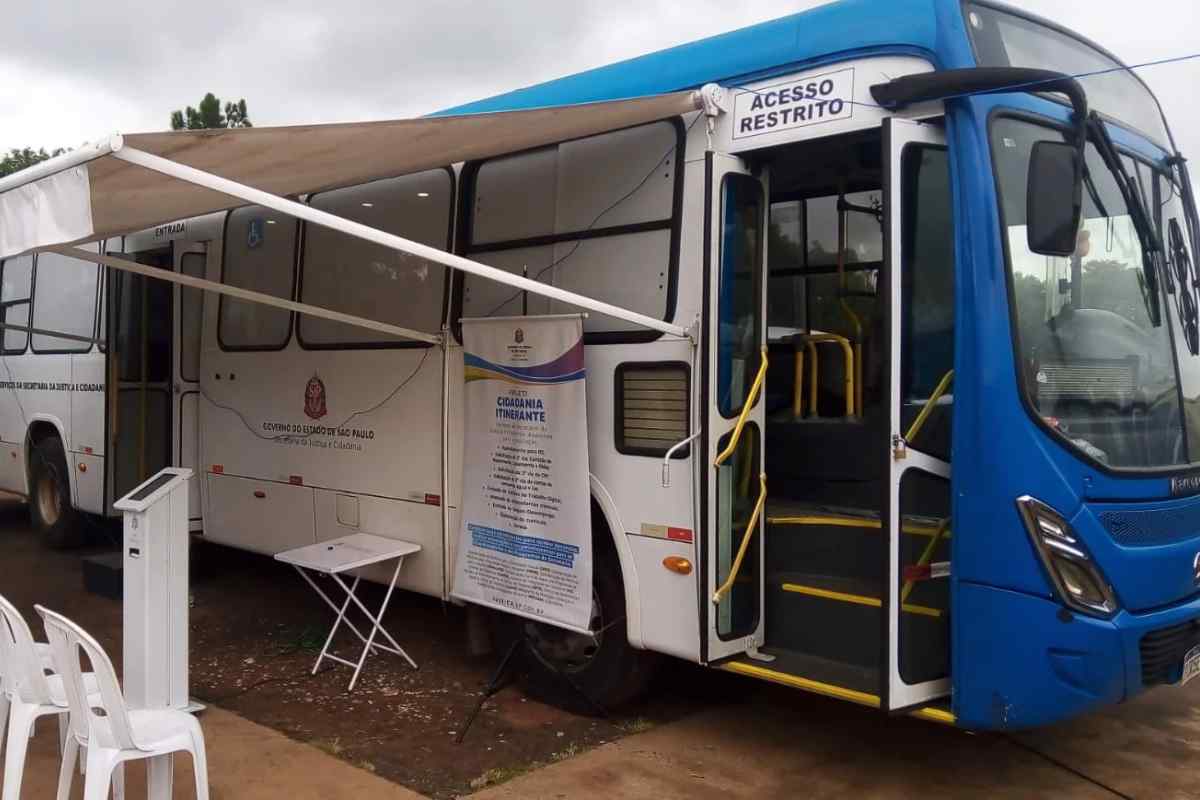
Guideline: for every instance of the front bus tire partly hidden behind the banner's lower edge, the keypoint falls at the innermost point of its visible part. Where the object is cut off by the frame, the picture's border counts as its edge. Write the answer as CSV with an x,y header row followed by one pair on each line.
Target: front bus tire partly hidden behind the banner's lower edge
x,y
611,673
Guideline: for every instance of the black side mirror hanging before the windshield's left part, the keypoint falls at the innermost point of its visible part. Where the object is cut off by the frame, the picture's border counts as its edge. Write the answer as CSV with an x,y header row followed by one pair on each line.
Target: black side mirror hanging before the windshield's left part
x,y
1055,200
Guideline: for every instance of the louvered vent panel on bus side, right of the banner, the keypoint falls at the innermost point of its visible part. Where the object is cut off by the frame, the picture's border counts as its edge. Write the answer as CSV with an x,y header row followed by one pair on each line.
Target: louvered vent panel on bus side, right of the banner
x,y
653,407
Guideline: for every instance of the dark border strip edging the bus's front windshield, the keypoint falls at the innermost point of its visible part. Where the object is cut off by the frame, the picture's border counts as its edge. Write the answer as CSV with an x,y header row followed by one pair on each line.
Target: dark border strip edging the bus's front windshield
x,y
1015,341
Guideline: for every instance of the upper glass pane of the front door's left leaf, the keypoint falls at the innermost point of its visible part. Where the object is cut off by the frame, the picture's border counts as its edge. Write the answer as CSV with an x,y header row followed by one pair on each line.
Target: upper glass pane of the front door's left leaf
x,y
739,314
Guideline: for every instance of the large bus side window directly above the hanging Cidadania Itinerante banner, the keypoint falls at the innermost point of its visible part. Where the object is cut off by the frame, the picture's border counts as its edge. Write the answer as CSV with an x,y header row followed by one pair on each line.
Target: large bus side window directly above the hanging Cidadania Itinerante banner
x,y
593,216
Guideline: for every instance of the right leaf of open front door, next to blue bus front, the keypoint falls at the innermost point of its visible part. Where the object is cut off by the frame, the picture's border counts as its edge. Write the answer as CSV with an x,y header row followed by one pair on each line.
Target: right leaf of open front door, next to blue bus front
x,y
917,515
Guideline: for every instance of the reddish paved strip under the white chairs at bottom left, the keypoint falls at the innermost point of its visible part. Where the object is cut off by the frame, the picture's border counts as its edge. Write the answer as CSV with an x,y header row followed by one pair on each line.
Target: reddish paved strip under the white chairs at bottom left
x,y
247,762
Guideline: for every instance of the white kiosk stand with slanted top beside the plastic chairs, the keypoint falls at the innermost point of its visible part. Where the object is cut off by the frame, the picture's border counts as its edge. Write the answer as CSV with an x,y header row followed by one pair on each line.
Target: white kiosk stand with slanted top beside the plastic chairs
x,y
155,573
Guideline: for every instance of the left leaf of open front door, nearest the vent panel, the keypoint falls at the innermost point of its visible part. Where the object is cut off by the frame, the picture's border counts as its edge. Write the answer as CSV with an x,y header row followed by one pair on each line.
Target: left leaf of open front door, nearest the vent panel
x,y
734,488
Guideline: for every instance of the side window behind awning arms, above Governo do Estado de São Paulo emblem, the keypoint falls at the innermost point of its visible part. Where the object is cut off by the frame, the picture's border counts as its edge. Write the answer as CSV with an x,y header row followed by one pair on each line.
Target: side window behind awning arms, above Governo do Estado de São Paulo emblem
x,y
358,278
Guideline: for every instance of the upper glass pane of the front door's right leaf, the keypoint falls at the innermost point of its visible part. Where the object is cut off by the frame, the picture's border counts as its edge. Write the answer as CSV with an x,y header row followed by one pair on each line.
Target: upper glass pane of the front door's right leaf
x,y
927,275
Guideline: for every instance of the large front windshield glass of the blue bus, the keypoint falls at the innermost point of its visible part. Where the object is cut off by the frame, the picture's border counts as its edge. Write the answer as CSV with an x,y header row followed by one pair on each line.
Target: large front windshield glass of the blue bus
x,y
1095,366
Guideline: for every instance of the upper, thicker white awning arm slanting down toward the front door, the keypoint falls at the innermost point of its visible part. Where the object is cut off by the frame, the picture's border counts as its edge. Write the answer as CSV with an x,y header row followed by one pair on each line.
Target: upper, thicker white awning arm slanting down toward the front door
x,y
302,212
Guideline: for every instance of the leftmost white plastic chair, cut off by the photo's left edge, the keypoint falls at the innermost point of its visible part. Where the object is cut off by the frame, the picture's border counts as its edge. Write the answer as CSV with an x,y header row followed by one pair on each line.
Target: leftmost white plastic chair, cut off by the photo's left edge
x,y
29,694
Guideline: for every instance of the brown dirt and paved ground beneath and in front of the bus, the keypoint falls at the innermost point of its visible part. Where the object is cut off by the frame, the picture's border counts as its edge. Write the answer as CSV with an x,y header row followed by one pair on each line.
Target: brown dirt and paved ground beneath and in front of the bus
x,y
256,629
